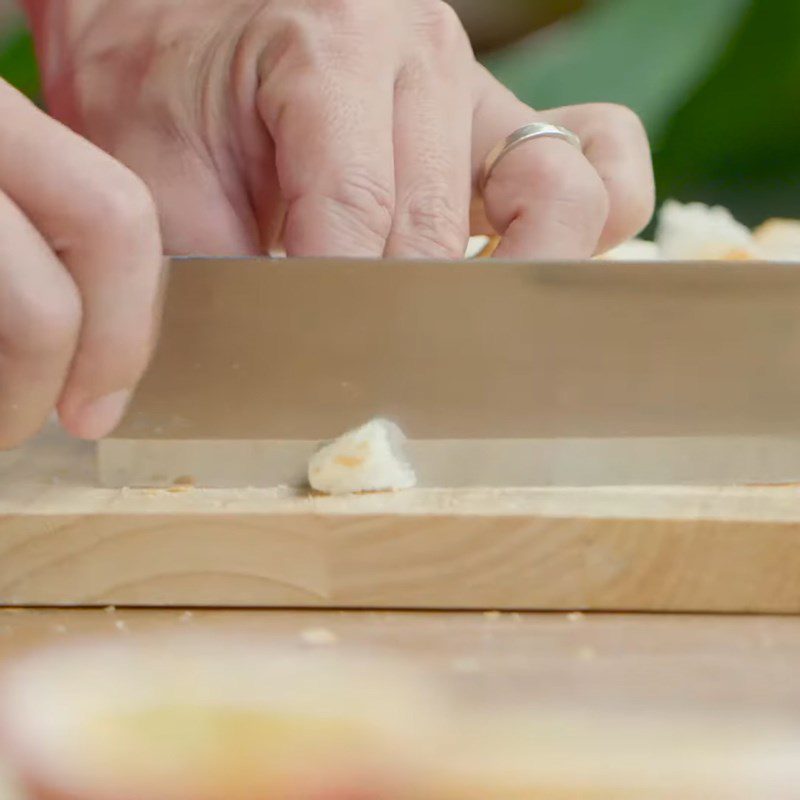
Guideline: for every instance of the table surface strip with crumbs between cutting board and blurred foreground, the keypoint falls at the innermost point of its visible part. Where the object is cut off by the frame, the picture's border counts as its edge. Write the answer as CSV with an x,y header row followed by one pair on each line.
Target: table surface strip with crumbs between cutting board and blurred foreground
x,y
742,665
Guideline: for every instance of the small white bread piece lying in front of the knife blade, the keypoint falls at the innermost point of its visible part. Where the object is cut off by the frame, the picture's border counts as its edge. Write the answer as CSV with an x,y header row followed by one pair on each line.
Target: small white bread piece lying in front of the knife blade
x,y
367,459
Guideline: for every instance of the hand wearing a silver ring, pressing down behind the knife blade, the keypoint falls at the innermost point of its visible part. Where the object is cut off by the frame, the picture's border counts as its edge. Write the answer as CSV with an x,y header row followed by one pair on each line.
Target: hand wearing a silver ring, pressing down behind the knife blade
x,y
354,127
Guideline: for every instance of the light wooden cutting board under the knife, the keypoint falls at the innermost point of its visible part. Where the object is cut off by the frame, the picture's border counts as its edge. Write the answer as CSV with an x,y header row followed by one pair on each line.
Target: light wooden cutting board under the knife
x,y
65,542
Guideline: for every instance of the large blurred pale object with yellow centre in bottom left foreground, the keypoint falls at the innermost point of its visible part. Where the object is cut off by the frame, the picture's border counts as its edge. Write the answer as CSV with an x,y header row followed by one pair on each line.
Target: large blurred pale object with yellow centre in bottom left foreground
x,y
212,719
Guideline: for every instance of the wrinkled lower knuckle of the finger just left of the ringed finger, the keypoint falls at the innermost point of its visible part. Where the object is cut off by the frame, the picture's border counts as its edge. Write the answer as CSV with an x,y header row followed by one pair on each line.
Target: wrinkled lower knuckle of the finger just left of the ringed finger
x,y
435,225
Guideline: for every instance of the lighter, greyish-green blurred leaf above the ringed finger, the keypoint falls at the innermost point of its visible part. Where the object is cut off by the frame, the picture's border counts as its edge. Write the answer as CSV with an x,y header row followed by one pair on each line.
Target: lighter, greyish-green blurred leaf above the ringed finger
x,y
646,54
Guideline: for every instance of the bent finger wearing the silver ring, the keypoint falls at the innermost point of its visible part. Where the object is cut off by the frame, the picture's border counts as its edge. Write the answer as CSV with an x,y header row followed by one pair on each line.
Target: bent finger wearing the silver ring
x,y
544,198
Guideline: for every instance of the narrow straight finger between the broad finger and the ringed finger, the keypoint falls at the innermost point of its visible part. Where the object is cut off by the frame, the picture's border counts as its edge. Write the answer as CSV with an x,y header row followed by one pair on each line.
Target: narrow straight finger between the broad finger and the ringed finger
x,y
432,140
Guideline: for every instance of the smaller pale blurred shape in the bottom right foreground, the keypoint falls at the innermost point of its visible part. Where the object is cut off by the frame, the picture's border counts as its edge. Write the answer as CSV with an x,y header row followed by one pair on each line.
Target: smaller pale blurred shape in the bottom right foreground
x,y
656,756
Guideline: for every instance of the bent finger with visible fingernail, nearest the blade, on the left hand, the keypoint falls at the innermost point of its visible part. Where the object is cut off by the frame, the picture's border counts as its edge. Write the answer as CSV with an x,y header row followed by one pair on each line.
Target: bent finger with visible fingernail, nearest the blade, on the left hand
x,y
100,221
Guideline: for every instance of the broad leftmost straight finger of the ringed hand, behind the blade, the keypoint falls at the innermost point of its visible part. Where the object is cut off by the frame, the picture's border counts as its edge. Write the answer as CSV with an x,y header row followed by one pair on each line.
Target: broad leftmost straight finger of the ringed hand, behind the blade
x,y
329,109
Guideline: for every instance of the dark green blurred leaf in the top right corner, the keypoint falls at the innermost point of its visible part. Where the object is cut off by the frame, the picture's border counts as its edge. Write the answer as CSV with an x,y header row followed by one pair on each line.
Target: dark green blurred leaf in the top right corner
x,y
736,141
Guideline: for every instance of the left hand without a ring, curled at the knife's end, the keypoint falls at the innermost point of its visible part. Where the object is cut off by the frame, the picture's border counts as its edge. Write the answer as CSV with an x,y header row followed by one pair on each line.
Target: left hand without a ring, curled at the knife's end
x,y
80,258
